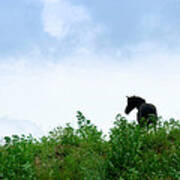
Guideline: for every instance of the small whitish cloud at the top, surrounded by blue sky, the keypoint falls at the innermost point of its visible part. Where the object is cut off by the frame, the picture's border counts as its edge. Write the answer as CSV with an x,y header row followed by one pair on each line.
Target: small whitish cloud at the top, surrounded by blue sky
x,y
61,19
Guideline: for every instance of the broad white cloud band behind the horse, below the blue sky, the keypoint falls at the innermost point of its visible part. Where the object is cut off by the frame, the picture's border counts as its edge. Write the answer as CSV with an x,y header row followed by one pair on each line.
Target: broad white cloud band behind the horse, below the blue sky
x,y
50,95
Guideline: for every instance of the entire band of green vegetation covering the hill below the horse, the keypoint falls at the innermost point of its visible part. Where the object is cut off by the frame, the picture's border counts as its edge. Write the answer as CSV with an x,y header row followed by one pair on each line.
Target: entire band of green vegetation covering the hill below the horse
x,y
130,152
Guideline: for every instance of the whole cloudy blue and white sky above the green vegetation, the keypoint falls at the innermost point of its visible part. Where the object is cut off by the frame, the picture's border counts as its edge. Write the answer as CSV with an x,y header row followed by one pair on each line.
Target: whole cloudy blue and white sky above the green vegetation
x,y
60,56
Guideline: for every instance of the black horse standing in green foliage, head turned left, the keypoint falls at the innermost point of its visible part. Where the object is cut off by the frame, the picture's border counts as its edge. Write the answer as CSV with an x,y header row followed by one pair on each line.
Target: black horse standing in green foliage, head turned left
x,y
147,113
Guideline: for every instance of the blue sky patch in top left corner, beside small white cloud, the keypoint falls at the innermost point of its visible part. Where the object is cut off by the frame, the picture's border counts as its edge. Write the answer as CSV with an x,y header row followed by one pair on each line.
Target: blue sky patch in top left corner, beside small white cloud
x,y
20,26
